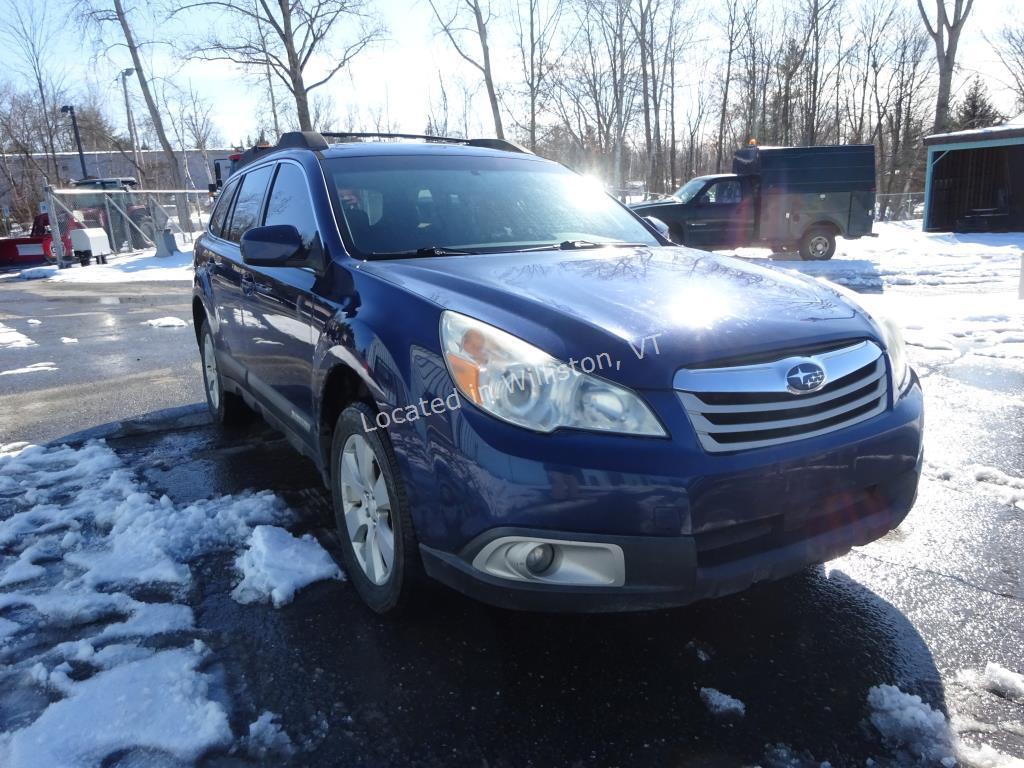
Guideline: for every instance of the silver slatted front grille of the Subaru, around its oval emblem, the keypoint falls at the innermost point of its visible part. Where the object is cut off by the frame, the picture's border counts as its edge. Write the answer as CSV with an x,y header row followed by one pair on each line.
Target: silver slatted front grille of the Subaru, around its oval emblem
x,y
749,407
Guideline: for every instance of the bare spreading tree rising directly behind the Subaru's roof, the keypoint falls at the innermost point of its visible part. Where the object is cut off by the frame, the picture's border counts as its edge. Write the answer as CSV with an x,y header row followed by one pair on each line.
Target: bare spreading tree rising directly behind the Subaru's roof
x,y
284,37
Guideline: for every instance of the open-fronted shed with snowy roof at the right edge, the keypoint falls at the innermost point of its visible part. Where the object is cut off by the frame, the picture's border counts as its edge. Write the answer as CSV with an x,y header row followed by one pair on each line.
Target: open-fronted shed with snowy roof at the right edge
x,y
975,180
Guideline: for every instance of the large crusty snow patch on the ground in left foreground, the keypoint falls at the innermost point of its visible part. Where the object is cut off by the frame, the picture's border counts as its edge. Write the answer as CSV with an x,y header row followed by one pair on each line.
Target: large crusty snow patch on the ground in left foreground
x,y
111,672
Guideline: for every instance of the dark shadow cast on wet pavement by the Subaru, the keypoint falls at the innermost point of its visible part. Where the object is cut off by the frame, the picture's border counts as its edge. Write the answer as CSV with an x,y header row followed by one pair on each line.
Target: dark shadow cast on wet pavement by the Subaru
x,y
454,682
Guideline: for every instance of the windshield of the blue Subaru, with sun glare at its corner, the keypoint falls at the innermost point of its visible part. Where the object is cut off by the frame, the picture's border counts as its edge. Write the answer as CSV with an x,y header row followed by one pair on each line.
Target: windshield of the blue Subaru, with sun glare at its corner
x,y
398,205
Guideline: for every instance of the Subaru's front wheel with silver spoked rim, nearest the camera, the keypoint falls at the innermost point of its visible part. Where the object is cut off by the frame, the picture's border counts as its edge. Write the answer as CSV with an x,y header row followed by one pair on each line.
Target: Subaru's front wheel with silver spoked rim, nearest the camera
x,y
378,543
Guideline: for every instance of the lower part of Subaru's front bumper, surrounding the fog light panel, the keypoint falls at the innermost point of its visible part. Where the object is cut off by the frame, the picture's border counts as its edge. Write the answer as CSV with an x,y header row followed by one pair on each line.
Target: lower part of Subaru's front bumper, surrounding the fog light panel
x,y
667,572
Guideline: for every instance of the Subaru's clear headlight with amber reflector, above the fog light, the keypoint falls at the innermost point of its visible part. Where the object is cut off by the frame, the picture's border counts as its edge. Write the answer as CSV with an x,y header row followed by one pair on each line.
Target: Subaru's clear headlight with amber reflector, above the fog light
x,y
519,383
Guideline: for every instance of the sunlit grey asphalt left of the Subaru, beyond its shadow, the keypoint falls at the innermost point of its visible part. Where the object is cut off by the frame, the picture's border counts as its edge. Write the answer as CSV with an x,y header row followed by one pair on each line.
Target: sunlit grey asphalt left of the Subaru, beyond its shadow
x,y
118,368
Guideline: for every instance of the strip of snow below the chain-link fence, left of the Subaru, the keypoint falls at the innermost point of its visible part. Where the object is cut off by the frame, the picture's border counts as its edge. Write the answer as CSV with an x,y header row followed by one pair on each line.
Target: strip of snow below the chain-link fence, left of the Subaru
x,y
136,268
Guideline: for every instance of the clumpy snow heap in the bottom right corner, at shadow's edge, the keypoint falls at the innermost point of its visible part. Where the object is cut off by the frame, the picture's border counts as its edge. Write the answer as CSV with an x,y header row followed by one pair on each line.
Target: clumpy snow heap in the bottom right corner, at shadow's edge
x,y
918,735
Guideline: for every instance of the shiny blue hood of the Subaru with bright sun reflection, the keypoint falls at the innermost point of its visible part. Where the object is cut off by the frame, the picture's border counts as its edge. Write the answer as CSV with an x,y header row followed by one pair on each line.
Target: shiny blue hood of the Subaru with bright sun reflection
x,y
651,311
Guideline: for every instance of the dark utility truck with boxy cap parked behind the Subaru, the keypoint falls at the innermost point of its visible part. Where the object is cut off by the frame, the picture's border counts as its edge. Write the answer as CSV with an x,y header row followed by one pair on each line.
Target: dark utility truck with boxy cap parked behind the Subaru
x,y
784,198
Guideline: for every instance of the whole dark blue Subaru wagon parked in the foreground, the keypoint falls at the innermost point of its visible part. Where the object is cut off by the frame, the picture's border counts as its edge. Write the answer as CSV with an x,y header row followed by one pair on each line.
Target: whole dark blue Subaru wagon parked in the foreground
x,y
516,387
